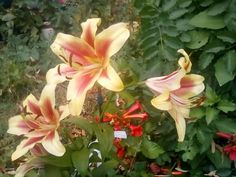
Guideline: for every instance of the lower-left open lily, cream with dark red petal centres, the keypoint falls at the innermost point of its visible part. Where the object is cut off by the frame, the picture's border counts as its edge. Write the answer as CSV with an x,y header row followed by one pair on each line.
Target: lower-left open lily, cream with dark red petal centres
x,y
38,124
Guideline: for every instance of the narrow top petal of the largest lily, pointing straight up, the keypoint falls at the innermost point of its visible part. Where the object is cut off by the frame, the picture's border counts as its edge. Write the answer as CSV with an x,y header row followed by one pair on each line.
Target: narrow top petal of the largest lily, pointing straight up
x,y
89,30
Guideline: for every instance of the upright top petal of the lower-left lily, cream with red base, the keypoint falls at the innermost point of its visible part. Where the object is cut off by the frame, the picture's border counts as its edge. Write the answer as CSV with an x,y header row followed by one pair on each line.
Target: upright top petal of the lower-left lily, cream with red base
x,y
47,103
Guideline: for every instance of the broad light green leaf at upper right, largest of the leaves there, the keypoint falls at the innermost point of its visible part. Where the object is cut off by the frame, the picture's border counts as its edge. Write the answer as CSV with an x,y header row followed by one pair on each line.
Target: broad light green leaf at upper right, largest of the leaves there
x,y
202,20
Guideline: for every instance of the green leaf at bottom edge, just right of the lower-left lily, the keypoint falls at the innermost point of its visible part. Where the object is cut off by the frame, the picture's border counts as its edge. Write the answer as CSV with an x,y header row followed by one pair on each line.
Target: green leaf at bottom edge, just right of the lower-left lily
x,y
80,160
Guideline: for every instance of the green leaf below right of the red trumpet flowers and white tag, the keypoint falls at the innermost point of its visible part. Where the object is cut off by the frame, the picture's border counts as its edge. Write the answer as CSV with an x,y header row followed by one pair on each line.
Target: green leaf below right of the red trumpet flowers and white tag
x,y
151,149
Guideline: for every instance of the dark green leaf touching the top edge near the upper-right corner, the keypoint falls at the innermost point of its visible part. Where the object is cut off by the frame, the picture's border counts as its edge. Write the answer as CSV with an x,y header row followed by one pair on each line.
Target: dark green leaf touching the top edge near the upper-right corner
x,y
218,8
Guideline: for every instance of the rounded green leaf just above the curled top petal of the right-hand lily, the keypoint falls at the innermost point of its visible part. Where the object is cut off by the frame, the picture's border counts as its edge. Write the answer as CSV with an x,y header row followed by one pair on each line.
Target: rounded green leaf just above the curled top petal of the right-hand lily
x,y
198,39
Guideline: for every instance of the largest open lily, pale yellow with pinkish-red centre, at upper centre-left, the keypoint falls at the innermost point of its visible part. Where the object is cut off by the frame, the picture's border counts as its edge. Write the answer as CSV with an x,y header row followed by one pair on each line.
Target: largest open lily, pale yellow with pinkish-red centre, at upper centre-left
x,y
87,60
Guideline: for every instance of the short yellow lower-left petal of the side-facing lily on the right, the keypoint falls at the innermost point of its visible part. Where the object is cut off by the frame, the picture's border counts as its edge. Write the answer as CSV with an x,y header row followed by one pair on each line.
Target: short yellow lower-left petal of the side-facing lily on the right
x,y
162,102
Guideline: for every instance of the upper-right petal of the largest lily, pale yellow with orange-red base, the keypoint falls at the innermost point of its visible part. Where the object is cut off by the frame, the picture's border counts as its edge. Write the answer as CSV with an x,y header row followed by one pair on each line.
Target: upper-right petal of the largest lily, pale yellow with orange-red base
x,y
110,40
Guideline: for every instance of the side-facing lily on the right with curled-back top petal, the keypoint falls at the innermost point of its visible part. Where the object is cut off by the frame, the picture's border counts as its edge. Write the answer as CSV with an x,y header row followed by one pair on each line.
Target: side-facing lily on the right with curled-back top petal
x,y
176,92
